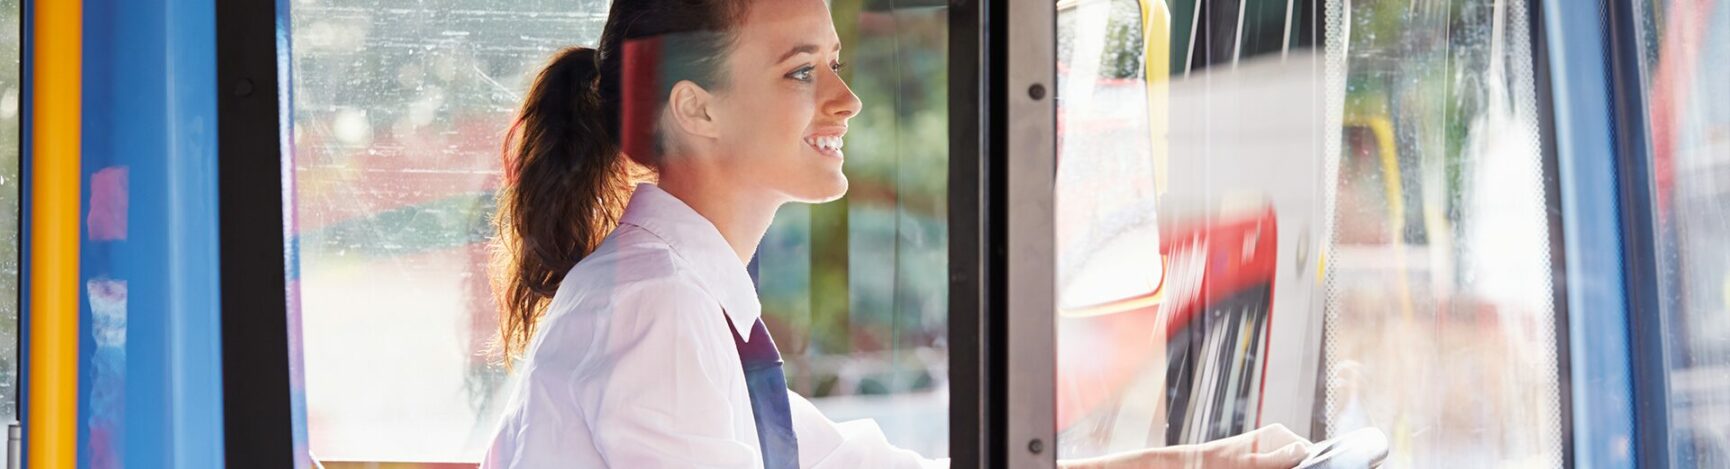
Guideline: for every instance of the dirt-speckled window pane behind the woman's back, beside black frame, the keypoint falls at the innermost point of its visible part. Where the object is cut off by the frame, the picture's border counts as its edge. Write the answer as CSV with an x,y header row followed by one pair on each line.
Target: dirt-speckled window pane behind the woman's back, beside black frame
x,y
399,113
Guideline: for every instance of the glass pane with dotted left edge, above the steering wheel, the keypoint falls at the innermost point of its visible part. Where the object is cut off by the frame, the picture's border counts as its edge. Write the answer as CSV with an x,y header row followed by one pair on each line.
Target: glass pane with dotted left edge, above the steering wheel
x,y
1442,319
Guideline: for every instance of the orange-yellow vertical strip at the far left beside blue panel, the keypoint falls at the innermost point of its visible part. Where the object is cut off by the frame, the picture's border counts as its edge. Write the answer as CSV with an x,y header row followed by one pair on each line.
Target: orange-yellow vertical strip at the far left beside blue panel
x,y
51,432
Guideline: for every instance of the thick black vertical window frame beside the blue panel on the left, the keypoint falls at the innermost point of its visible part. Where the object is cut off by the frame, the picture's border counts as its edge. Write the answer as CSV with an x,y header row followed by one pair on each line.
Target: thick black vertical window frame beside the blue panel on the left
x,y
255,324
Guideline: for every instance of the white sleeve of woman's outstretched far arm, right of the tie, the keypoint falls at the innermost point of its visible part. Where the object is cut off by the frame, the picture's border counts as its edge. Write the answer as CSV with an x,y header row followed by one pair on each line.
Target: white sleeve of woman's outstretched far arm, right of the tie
x,y
847,446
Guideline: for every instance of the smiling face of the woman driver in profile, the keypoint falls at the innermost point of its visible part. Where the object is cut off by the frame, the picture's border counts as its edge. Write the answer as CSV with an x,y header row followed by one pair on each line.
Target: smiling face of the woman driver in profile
x,y
785,108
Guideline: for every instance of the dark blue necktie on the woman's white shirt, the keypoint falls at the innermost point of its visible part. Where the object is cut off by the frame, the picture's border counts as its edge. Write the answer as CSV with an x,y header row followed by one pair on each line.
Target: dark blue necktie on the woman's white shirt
x,y
769,397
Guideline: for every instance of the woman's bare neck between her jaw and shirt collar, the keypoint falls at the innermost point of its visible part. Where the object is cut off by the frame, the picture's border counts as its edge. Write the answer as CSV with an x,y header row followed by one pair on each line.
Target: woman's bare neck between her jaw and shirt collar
x,y
740,215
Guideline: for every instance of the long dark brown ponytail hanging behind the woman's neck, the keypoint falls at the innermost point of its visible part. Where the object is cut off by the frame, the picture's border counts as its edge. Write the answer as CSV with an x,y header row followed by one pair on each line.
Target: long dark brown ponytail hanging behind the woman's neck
x,y
567,186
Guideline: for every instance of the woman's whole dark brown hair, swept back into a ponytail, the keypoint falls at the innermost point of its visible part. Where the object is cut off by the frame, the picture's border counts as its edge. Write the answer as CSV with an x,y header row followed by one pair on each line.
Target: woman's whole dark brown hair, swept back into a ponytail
x,y
567,181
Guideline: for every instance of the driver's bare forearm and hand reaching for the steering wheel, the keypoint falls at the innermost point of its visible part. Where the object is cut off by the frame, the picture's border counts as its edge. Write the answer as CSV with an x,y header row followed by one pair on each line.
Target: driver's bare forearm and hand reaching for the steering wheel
x,y
1271,447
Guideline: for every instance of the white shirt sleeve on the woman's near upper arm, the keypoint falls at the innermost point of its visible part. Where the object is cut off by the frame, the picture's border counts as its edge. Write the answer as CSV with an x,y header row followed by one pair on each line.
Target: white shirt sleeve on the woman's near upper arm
x,y
660,385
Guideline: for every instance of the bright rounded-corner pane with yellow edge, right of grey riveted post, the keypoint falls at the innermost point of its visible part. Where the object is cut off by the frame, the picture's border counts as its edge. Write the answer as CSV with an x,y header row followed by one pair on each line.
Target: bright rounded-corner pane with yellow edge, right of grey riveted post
x,y
1106,164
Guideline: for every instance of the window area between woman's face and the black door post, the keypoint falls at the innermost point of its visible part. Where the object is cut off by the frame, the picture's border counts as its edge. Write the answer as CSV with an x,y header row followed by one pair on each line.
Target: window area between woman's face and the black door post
x,y
855,292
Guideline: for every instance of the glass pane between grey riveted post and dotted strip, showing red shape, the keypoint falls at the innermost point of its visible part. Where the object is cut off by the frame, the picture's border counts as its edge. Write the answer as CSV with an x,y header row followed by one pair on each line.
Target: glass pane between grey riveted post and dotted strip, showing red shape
x,y
1186,176
